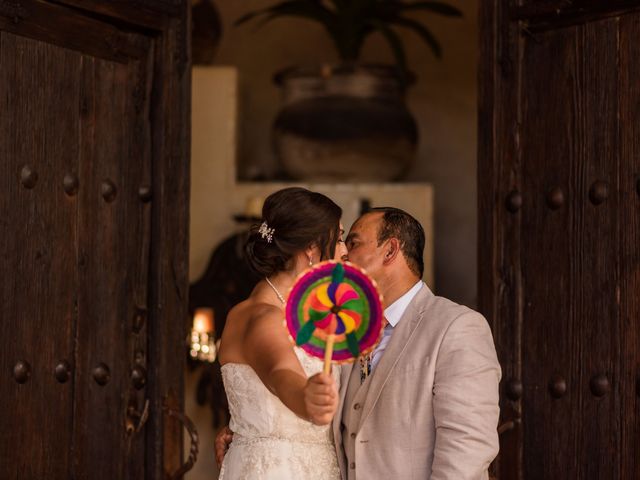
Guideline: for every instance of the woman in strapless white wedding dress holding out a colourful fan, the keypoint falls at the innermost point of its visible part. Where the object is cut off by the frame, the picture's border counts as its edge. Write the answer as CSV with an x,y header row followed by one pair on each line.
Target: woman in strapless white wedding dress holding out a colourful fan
x,y
281,403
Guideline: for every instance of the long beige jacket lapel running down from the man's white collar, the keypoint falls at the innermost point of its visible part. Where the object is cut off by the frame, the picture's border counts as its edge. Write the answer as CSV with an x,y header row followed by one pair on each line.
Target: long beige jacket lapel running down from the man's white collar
x,y
400,338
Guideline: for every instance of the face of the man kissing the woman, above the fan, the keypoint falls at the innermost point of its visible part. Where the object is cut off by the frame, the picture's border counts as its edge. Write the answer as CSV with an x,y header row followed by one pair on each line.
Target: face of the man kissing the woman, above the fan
x,y
362,244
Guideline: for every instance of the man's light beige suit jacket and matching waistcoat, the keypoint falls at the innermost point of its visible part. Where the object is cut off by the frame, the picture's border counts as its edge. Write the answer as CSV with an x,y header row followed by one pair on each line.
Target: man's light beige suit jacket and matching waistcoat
x,y
430,408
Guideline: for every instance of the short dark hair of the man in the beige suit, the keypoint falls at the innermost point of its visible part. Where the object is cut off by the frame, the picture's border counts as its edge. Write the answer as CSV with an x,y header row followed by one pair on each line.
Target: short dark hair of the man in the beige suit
x,y
399,224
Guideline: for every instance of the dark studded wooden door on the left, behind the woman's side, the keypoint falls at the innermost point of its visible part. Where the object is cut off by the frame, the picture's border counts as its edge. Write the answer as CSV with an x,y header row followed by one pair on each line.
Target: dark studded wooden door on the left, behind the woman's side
x,y
94,154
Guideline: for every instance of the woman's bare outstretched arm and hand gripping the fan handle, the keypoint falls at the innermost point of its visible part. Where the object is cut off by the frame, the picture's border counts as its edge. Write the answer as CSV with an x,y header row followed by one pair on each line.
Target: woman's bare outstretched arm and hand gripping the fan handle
x,y
268,351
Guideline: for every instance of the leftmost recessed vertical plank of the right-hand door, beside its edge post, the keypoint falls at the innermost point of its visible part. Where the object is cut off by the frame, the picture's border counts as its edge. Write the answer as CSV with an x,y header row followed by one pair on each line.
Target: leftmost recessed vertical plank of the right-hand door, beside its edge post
x,y
548,329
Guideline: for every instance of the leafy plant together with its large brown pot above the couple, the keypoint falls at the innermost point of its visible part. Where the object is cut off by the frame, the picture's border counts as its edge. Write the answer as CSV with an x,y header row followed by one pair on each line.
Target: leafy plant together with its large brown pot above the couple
x,y
349,121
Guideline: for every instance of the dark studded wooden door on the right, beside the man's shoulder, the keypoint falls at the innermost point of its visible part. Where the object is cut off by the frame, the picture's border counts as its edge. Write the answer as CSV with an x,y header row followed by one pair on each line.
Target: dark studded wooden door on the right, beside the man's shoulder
x,y
559,242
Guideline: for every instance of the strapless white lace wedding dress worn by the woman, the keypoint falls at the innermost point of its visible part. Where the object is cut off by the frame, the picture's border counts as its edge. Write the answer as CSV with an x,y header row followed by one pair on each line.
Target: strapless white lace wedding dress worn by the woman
x,y
270,442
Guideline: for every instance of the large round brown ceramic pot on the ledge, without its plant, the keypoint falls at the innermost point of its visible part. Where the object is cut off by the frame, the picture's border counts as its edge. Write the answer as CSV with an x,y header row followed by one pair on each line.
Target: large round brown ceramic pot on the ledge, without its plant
x,y
345,123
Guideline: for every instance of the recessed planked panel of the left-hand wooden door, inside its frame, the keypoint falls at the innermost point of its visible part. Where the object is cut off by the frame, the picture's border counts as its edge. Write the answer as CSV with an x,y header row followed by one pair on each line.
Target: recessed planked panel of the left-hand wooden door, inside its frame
x,y
79,255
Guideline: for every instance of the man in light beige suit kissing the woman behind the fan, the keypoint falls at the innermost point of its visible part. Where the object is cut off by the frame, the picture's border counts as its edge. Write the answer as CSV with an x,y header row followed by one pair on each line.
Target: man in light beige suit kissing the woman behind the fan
x,y
424,404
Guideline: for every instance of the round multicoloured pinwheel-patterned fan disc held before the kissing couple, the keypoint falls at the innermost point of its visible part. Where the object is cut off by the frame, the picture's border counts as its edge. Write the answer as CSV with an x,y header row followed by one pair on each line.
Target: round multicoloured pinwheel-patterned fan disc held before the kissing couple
x,y
337,299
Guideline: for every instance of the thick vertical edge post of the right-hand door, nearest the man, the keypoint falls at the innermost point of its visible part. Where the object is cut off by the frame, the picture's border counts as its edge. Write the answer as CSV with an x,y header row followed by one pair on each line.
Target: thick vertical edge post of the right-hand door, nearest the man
x,y
499,277
